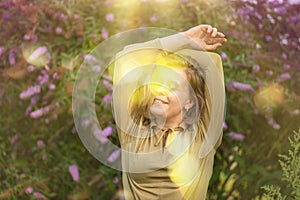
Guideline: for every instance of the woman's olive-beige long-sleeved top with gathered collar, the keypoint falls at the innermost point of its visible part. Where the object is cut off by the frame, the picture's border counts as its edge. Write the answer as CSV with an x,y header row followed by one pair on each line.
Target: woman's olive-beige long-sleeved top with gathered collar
x,y
166,163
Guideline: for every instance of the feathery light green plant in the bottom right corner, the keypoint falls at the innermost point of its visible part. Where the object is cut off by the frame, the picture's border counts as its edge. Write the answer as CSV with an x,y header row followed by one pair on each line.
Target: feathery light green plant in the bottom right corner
x,y
290,173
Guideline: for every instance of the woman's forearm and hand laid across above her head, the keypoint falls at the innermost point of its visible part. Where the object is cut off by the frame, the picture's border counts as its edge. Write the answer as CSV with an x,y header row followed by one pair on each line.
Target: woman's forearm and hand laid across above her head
x,y
201,37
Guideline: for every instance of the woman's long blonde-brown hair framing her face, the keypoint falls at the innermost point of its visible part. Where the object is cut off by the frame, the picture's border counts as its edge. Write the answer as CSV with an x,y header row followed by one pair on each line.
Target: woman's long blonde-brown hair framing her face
x,y
198,115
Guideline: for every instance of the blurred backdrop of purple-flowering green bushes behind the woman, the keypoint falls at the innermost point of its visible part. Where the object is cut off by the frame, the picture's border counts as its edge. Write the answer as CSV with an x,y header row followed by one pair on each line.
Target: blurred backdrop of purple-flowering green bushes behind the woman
x,y
43,43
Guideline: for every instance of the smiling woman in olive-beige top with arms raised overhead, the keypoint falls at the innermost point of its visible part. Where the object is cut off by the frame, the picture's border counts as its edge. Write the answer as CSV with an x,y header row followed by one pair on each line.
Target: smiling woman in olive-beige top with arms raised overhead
x,y
163,109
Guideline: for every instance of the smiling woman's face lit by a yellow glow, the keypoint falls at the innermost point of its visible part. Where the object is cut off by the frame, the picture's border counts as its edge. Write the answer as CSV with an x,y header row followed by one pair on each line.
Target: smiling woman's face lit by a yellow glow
x,y
171,96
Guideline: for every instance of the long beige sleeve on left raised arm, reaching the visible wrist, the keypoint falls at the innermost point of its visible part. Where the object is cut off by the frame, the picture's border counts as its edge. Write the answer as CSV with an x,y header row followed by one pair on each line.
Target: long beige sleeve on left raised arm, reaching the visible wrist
x,y
127,72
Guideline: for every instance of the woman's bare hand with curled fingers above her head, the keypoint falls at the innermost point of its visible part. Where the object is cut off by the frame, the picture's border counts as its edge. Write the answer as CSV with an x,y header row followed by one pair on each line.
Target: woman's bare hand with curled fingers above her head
x,y
207,37
